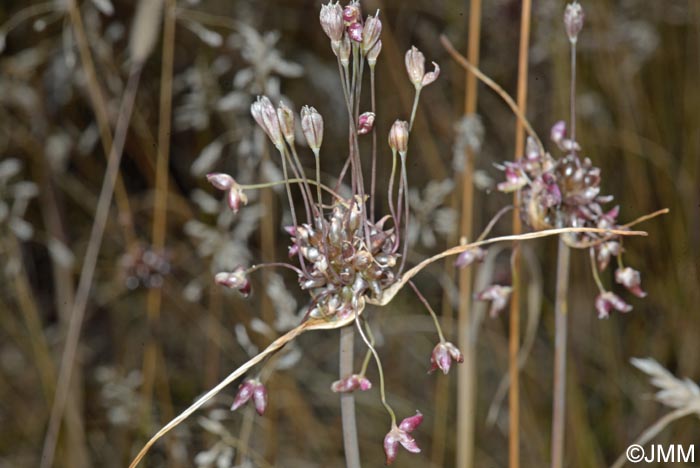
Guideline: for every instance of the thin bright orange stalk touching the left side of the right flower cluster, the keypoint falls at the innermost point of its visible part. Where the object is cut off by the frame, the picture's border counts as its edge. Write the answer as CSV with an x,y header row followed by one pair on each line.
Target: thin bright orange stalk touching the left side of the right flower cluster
x,y
514,332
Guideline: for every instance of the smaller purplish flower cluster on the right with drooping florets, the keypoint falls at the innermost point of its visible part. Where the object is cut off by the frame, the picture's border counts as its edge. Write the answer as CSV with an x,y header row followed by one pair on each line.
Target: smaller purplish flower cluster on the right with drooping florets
x,y
565,192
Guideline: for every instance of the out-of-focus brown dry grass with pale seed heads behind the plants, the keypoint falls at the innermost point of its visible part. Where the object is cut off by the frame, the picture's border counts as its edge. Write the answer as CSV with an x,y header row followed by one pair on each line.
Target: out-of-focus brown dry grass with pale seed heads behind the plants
x,y
639,120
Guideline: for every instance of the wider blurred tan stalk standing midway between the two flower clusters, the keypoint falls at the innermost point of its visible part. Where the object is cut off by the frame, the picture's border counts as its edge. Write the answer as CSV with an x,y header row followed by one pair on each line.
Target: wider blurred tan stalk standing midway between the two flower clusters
x,y
466,373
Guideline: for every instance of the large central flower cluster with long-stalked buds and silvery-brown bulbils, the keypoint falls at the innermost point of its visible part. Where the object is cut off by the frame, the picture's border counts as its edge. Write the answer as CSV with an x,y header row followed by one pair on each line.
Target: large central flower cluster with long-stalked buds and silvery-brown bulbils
x,y
344,254
